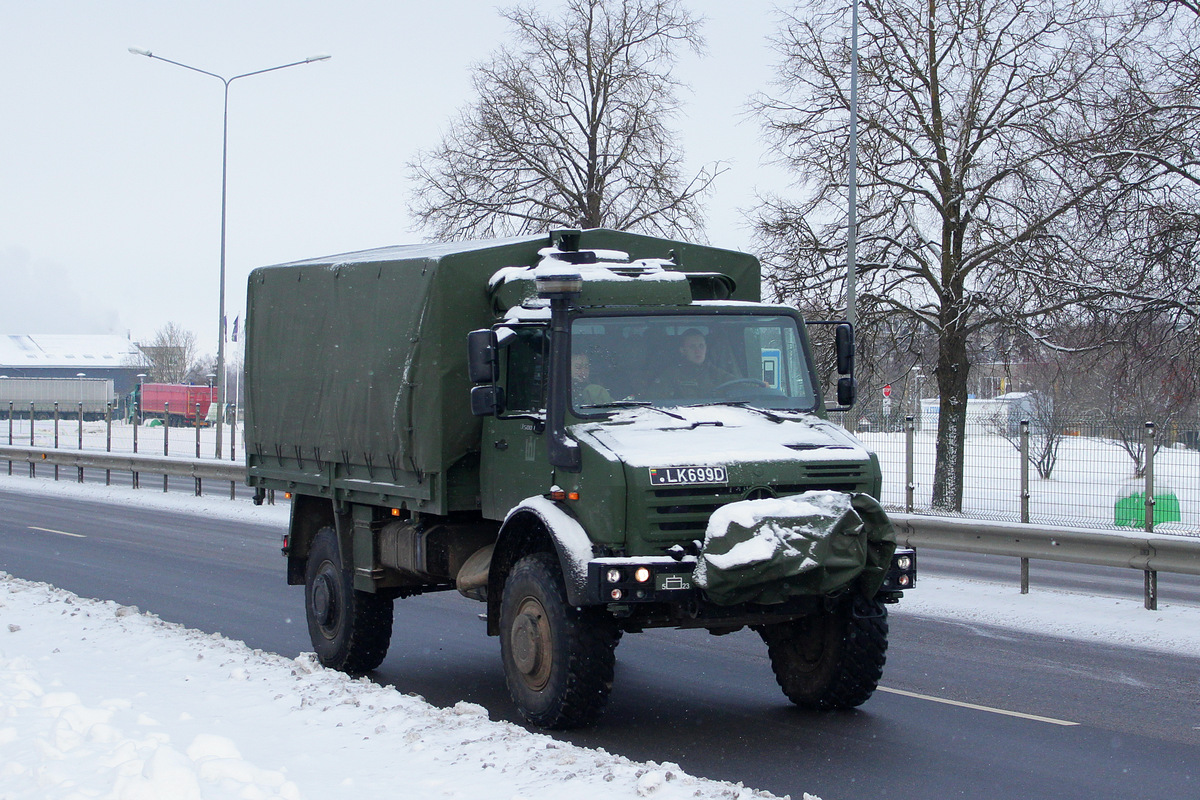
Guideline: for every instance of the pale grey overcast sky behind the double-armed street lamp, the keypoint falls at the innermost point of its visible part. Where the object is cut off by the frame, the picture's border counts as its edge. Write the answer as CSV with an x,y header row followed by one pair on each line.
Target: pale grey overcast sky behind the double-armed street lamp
x,y
111,169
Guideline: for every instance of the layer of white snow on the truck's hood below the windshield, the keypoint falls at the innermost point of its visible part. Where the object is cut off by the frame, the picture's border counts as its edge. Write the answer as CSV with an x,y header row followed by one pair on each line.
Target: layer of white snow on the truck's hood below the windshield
x,y
718,435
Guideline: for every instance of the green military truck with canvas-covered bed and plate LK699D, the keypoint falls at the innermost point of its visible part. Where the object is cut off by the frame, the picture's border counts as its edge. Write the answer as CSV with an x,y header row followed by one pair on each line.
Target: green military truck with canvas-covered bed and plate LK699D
x,y
593,434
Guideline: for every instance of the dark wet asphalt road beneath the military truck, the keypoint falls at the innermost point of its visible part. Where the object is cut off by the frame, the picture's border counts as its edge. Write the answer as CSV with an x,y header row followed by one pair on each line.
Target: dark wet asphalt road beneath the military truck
x,y
707,703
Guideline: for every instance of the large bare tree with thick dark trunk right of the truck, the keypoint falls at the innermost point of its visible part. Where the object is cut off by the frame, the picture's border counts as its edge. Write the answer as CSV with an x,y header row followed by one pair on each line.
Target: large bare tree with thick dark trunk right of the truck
x,y
986,129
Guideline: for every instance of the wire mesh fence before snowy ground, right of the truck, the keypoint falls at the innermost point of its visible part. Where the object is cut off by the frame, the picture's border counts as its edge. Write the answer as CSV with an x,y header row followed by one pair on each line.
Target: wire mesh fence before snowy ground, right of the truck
x,y
1073,472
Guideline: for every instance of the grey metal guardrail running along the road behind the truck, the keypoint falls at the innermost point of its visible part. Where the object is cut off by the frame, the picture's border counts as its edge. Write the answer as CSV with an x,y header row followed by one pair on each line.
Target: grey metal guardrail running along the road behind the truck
x,y
1149,554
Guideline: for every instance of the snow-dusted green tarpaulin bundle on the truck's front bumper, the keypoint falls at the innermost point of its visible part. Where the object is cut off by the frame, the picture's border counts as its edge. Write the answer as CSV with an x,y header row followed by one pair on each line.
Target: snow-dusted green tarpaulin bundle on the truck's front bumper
x,y
813,544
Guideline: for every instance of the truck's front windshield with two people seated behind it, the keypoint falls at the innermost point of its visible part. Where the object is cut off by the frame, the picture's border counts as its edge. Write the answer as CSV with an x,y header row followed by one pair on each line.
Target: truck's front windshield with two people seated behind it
x,y
689,360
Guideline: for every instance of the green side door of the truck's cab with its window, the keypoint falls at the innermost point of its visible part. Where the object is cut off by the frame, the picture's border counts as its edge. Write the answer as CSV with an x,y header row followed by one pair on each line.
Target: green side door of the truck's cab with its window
x,y
513,459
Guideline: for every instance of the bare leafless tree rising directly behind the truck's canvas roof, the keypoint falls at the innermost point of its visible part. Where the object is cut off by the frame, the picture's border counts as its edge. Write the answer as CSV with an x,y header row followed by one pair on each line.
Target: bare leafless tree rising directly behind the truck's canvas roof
x,y
569,129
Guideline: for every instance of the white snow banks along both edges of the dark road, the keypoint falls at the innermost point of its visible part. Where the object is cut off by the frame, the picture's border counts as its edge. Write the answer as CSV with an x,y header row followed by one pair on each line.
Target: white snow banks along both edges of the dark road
x,y
176,713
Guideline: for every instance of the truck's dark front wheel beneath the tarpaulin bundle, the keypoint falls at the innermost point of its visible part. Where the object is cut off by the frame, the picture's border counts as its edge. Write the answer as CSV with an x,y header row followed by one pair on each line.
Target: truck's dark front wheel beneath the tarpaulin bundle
x,y
832,660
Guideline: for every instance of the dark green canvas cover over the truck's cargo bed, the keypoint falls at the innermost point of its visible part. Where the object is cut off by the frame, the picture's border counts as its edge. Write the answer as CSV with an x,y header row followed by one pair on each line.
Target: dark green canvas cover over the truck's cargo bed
x,y
361,359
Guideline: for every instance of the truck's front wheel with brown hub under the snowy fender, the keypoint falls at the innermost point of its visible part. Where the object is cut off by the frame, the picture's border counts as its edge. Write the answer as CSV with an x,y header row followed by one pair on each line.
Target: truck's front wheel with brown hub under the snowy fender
x,y
559,660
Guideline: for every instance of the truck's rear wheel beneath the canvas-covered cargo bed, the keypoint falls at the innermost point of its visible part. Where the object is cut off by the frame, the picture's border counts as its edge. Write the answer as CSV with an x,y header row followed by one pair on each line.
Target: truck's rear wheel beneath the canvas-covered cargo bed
x,y
351,630
